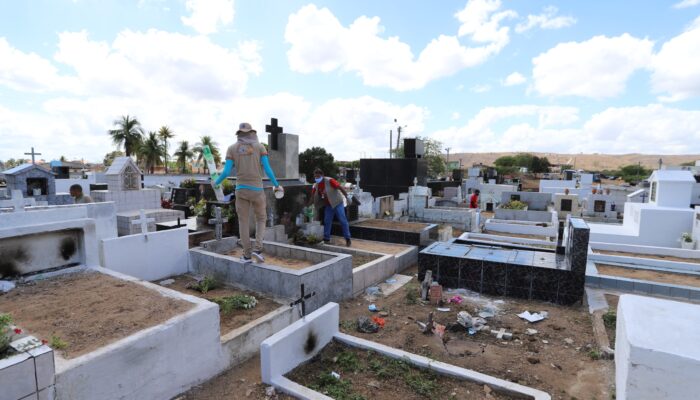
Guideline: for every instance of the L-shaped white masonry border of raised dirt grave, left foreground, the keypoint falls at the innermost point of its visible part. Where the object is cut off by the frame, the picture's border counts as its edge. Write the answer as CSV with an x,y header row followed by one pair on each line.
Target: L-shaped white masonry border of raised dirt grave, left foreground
x,y
156,363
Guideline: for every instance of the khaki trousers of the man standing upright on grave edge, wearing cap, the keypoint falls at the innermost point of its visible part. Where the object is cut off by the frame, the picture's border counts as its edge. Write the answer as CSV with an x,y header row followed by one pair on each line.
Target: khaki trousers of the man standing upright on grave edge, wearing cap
x,y
247,200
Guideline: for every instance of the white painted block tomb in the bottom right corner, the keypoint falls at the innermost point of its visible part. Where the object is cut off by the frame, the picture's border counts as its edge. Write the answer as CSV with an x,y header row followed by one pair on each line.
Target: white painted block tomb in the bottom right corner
x,y
657,351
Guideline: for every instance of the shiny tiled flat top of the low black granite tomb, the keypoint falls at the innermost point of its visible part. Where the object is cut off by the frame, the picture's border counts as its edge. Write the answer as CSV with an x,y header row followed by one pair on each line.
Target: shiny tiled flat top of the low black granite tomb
x,y
496,254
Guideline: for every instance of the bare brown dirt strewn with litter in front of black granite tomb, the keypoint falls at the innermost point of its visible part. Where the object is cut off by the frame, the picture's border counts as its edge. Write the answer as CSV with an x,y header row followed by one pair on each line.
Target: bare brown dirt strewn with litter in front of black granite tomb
x,y
557,359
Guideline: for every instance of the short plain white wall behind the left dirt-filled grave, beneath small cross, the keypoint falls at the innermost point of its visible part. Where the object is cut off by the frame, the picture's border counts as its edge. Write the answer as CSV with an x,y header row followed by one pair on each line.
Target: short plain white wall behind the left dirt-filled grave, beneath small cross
x,y
157,255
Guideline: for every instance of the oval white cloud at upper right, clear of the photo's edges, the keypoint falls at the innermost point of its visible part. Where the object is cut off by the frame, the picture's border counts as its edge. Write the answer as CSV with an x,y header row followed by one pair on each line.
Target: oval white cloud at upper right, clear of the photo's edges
x,y
596,68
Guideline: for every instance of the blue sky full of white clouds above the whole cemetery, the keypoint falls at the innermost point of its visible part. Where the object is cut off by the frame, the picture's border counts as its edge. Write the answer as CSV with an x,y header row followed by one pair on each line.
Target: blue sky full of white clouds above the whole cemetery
x,y
477,75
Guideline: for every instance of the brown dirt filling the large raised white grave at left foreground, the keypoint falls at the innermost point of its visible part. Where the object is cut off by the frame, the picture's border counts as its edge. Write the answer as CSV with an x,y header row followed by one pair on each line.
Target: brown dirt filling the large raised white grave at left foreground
x,y
87,310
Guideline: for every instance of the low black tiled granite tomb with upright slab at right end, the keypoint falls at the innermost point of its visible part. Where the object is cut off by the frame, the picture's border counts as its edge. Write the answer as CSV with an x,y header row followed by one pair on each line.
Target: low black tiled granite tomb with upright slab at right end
x,y
498,271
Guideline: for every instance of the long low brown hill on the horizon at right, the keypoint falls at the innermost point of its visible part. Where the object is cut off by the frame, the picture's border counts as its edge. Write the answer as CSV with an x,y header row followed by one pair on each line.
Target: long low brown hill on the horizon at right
x,y
583,161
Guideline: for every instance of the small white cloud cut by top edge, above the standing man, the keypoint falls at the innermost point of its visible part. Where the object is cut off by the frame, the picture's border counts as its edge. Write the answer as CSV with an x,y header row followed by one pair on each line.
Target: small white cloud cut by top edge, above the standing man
x,y
208,15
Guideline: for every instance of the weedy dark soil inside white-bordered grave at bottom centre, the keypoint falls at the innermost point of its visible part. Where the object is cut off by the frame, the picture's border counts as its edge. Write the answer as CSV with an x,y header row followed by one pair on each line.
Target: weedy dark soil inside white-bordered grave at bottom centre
x,y
367,375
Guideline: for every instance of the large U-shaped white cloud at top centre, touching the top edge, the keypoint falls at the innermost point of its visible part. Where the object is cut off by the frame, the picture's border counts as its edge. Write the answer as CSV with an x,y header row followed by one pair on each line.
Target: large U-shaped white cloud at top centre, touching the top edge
x,y
320,43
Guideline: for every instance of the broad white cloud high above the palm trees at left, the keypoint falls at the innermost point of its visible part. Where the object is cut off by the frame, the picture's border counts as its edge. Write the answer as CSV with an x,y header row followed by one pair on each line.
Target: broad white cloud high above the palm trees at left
x,y
158,61
